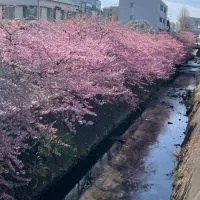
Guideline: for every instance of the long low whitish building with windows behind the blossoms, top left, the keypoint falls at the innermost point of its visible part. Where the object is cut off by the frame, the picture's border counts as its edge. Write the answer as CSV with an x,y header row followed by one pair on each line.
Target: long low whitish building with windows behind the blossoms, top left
x,y
35,9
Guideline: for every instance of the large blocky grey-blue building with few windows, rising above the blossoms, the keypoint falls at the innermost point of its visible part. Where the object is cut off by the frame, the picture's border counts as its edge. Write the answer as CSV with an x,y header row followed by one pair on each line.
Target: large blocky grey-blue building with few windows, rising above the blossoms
x,y
154,11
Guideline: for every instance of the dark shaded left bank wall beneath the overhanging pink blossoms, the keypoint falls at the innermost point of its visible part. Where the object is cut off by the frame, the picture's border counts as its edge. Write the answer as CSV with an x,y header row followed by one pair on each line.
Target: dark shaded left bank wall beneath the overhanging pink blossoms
x,y
96,141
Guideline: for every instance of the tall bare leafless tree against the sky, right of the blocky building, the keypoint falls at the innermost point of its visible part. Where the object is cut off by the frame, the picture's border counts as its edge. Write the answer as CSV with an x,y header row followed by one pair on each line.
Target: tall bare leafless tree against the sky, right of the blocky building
x,y
183,20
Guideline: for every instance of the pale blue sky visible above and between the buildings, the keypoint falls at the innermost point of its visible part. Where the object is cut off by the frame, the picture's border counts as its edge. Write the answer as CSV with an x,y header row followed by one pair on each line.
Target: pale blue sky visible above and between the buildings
x,y
174,7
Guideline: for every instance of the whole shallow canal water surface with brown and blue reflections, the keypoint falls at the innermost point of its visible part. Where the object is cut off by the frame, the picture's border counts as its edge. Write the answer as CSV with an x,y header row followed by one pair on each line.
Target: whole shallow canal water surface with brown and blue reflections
x,y
140,166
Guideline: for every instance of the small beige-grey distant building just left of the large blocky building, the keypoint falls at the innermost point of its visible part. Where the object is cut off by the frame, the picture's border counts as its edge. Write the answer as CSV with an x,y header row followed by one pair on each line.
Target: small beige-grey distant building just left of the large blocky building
x,y
111,13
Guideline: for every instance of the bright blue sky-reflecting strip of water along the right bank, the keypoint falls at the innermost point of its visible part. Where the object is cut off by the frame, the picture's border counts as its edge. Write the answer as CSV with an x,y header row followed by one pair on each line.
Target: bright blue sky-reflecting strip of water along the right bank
x,y
161,159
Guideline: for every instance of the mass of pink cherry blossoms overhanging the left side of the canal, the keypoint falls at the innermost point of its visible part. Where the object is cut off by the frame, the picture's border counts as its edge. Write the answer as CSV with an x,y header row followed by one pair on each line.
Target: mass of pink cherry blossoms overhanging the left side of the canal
x,y
52,68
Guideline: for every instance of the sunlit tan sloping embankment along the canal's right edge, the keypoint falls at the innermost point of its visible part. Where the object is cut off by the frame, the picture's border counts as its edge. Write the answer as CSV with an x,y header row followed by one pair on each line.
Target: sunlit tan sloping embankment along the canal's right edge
x,y
187,175
